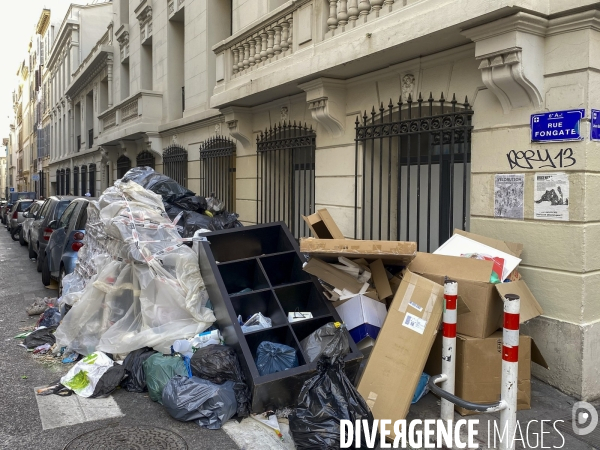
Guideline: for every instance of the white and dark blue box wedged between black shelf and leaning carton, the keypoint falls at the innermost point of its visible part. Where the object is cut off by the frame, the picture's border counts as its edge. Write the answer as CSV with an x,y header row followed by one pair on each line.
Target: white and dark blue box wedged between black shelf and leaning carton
x,y
364,318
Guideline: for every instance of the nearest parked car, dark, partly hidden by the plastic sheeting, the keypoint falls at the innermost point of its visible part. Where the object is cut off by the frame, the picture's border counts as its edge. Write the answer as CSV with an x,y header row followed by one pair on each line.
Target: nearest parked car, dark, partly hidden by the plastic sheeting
x,y
65,242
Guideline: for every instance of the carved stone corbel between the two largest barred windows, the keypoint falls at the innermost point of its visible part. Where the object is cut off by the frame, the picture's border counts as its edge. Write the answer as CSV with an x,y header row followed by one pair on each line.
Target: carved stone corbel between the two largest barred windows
x,y
326,98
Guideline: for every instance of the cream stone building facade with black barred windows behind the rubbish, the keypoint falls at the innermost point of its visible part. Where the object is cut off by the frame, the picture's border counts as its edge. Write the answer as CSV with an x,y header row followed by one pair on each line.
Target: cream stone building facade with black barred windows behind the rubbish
x,y
395,115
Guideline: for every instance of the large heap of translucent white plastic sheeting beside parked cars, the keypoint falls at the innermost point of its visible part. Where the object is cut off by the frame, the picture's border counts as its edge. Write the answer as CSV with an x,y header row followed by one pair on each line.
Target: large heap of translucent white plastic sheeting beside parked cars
x,y
145,287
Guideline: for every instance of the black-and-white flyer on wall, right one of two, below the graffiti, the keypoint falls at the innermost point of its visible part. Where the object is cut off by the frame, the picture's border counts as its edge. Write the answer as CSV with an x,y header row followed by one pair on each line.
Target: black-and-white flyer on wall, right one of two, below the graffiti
x,y
551,196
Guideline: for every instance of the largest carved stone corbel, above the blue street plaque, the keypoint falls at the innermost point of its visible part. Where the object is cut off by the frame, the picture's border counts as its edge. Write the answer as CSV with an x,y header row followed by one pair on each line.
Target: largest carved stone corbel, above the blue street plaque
x,y
511,55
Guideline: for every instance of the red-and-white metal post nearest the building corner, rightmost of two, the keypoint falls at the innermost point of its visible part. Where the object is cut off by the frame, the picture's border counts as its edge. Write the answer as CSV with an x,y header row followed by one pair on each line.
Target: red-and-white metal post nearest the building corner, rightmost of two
x,y
510,366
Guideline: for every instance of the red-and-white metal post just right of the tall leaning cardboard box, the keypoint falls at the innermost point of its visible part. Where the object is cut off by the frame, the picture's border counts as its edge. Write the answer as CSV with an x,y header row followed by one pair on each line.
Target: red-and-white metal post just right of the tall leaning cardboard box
x,y
449,346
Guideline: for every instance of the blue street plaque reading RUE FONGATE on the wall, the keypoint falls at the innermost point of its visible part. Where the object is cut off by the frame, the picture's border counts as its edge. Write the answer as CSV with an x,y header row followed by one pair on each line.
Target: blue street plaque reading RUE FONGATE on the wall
x,y
557,126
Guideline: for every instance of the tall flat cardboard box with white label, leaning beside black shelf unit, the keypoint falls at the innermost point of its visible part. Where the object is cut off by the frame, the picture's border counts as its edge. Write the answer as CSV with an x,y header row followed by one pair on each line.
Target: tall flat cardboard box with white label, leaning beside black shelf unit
x,y
398,358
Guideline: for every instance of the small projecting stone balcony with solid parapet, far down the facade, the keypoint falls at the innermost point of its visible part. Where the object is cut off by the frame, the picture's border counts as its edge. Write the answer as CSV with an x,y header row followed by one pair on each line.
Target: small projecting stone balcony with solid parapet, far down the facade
x,y
139,113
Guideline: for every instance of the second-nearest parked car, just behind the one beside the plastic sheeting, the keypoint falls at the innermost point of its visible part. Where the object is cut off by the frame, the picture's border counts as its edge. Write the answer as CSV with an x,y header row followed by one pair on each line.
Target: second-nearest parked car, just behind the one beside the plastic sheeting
x,y
39,231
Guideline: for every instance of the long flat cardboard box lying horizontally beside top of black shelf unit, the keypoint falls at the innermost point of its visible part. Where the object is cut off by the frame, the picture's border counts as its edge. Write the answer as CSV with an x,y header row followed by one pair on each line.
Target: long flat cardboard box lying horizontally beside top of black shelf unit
x,y
390,252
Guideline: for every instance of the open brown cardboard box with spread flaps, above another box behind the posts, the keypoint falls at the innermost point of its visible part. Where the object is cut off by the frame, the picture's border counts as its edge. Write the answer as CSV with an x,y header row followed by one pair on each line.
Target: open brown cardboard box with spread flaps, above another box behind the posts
x,y
482,298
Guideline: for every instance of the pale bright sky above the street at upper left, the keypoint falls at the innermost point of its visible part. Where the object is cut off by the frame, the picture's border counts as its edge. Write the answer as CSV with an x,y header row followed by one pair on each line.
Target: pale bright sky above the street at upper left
x,y
19,20
